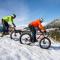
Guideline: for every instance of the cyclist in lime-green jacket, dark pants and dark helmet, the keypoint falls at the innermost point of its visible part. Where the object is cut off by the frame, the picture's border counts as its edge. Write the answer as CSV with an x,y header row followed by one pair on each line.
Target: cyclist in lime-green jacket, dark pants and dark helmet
x,y
6,21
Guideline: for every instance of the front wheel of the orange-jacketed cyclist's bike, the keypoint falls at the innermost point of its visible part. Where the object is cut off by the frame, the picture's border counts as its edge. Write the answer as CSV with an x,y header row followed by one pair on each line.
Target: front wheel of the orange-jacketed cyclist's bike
x,y
45,43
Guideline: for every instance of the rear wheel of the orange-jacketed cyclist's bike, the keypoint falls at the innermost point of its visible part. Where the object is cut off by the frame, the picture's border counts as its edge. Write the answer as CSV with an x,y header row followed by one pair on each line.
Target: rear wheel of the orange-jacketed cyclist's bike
x,y
25,38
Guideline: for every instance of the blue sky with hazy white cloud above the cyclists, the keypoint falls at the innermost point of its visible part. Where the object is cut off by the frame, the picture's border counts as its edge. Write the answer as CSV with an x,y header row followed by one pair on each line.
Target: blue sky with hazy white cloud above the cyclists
x,y
29,10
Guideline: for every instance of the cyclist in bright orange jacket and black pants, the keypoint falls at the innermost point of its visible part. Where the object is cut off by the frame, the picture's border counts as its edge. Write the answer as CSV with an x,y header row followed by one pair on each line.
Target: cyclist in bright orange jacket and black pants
x,y
36,24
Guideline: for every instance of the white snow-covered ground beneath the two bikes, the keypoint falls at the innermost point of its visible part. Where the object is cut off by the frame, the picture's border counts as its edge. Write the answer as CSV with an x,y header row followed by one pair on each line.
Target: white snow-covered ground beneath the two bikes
x,y
13,50
